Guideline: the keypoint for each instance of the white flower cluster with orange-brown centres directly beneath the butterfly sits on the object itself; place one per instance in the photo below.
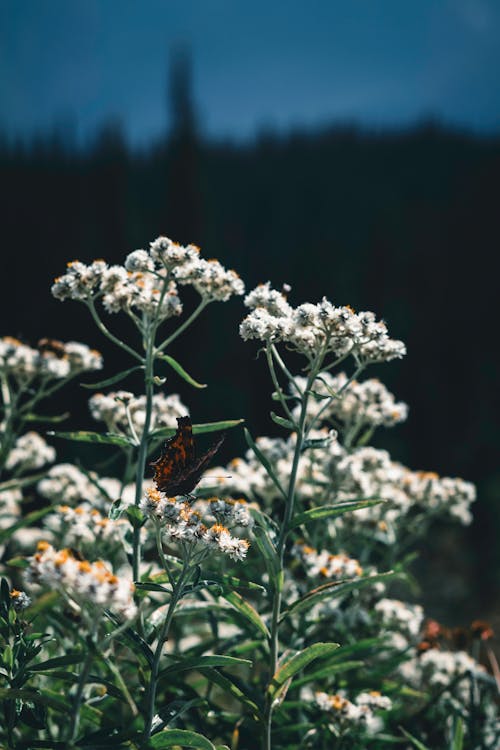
(181, 522)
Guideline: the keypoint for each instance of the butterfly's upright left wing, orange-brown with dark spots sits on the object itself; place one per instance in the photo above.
(177, 456)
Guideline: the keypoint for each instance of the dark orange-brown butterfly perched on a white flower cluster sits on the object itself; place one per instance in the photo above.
(177, 470)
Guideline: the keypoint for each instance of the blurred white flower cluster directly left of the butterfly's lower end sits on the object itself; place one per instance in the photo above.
(68, 484)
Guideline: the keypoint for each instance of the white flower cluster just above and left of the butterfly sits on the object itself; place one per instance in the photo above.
(112, 409)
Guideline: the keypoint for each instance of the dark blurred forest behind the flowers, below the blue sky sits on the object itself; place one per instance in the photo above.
(402, 222)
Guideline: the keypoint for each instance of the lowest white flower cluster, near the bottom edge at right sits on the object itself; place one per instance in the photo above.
(358, 716)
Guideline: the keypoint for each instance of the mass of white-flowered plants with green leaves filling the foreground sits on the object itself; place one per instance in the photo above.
(257, 612)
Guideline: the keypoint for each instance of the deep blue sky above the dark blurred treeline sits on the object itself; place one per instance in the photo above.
(274, 64)
